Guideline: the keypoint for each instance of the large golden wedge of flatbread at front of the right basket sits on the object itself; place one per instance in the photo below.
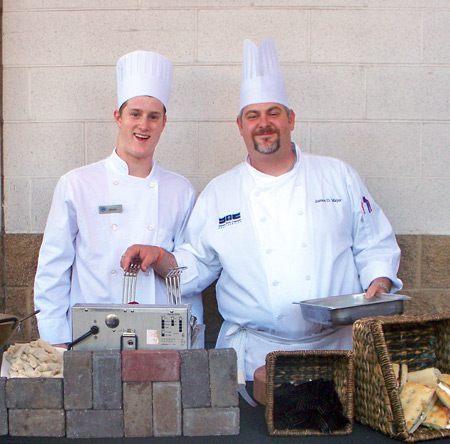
(417, 400)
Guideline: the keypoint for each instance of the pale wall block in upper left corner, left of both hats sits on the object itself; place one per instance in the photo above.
(29, 38)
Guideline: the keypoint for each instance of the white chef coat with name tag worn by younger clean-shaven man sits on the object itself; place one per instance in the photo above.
(79, 260)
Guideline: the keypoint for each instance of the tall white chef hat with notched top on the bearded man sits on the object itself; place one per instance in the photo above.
(262, 81)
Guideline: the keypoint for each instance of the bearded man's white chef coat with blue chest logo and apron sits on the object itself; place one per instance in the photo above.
(313, 232)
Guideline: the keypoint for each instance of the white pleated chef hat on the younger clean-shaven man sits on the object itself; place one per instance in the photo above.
(143, 73)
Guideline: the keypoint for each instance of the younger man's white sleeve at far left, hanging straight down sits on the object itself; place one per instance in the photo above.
(53, 276)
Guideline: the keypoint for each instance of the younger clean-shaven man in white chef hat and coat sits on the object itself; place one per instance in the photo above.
(100, 209)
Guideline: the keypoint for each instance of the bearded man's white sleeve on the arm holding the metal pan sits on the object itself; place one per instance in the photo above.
(375, 249)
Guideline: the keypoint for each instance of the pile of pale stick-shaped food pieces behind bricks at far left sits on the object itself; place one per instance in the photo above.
(37, 359)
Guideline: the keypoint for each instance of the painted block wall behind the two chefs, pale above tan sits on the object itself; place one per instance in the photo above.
(369, 81)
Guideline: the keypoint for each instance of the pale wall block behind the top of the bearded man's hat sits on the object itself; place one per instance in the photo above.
(222, 36)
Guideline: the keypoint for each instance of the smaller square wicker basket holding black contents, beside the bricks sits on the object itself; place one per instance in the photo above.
(302, 366)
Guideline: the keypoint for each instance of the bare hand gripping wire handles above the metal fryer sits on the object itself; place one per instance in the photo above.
(151, 256)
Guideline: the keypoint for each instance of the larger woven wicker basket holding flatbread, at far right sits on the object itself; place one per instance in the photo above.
(420, 342)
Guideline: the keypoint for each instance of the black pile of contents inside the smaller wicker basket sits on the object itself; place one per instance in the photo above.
(309, 405)
